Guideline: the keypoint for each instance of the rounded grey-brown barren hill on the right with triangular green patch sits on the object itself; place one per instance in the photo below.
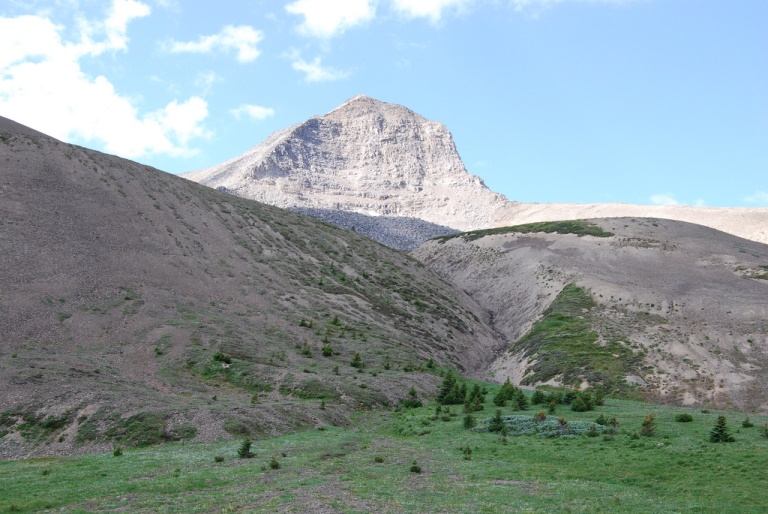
(679, 307)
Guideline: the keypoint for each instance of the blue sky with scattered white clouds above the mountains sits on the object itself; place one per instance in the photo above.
(637, 101)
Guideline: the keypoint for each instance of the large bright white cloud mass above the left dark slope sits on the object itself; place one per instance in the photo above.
(43, 85)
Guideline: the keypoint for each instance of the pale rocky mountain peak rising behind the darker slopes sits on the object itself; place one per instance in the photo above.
(365, 156)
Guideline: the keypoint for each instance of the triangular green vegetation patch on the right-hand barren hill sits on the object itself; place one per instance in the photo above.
(564, 345)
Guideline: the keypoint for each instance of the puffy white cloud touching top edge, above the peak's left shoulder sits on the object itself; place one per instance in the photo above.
(325, 19)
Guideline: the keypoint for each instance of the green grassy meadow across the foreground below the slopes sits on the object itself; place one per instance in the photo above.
(367, 468)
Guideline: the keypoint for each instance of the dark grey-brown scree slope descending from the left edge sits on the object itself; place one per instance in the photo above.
(141, 306)
